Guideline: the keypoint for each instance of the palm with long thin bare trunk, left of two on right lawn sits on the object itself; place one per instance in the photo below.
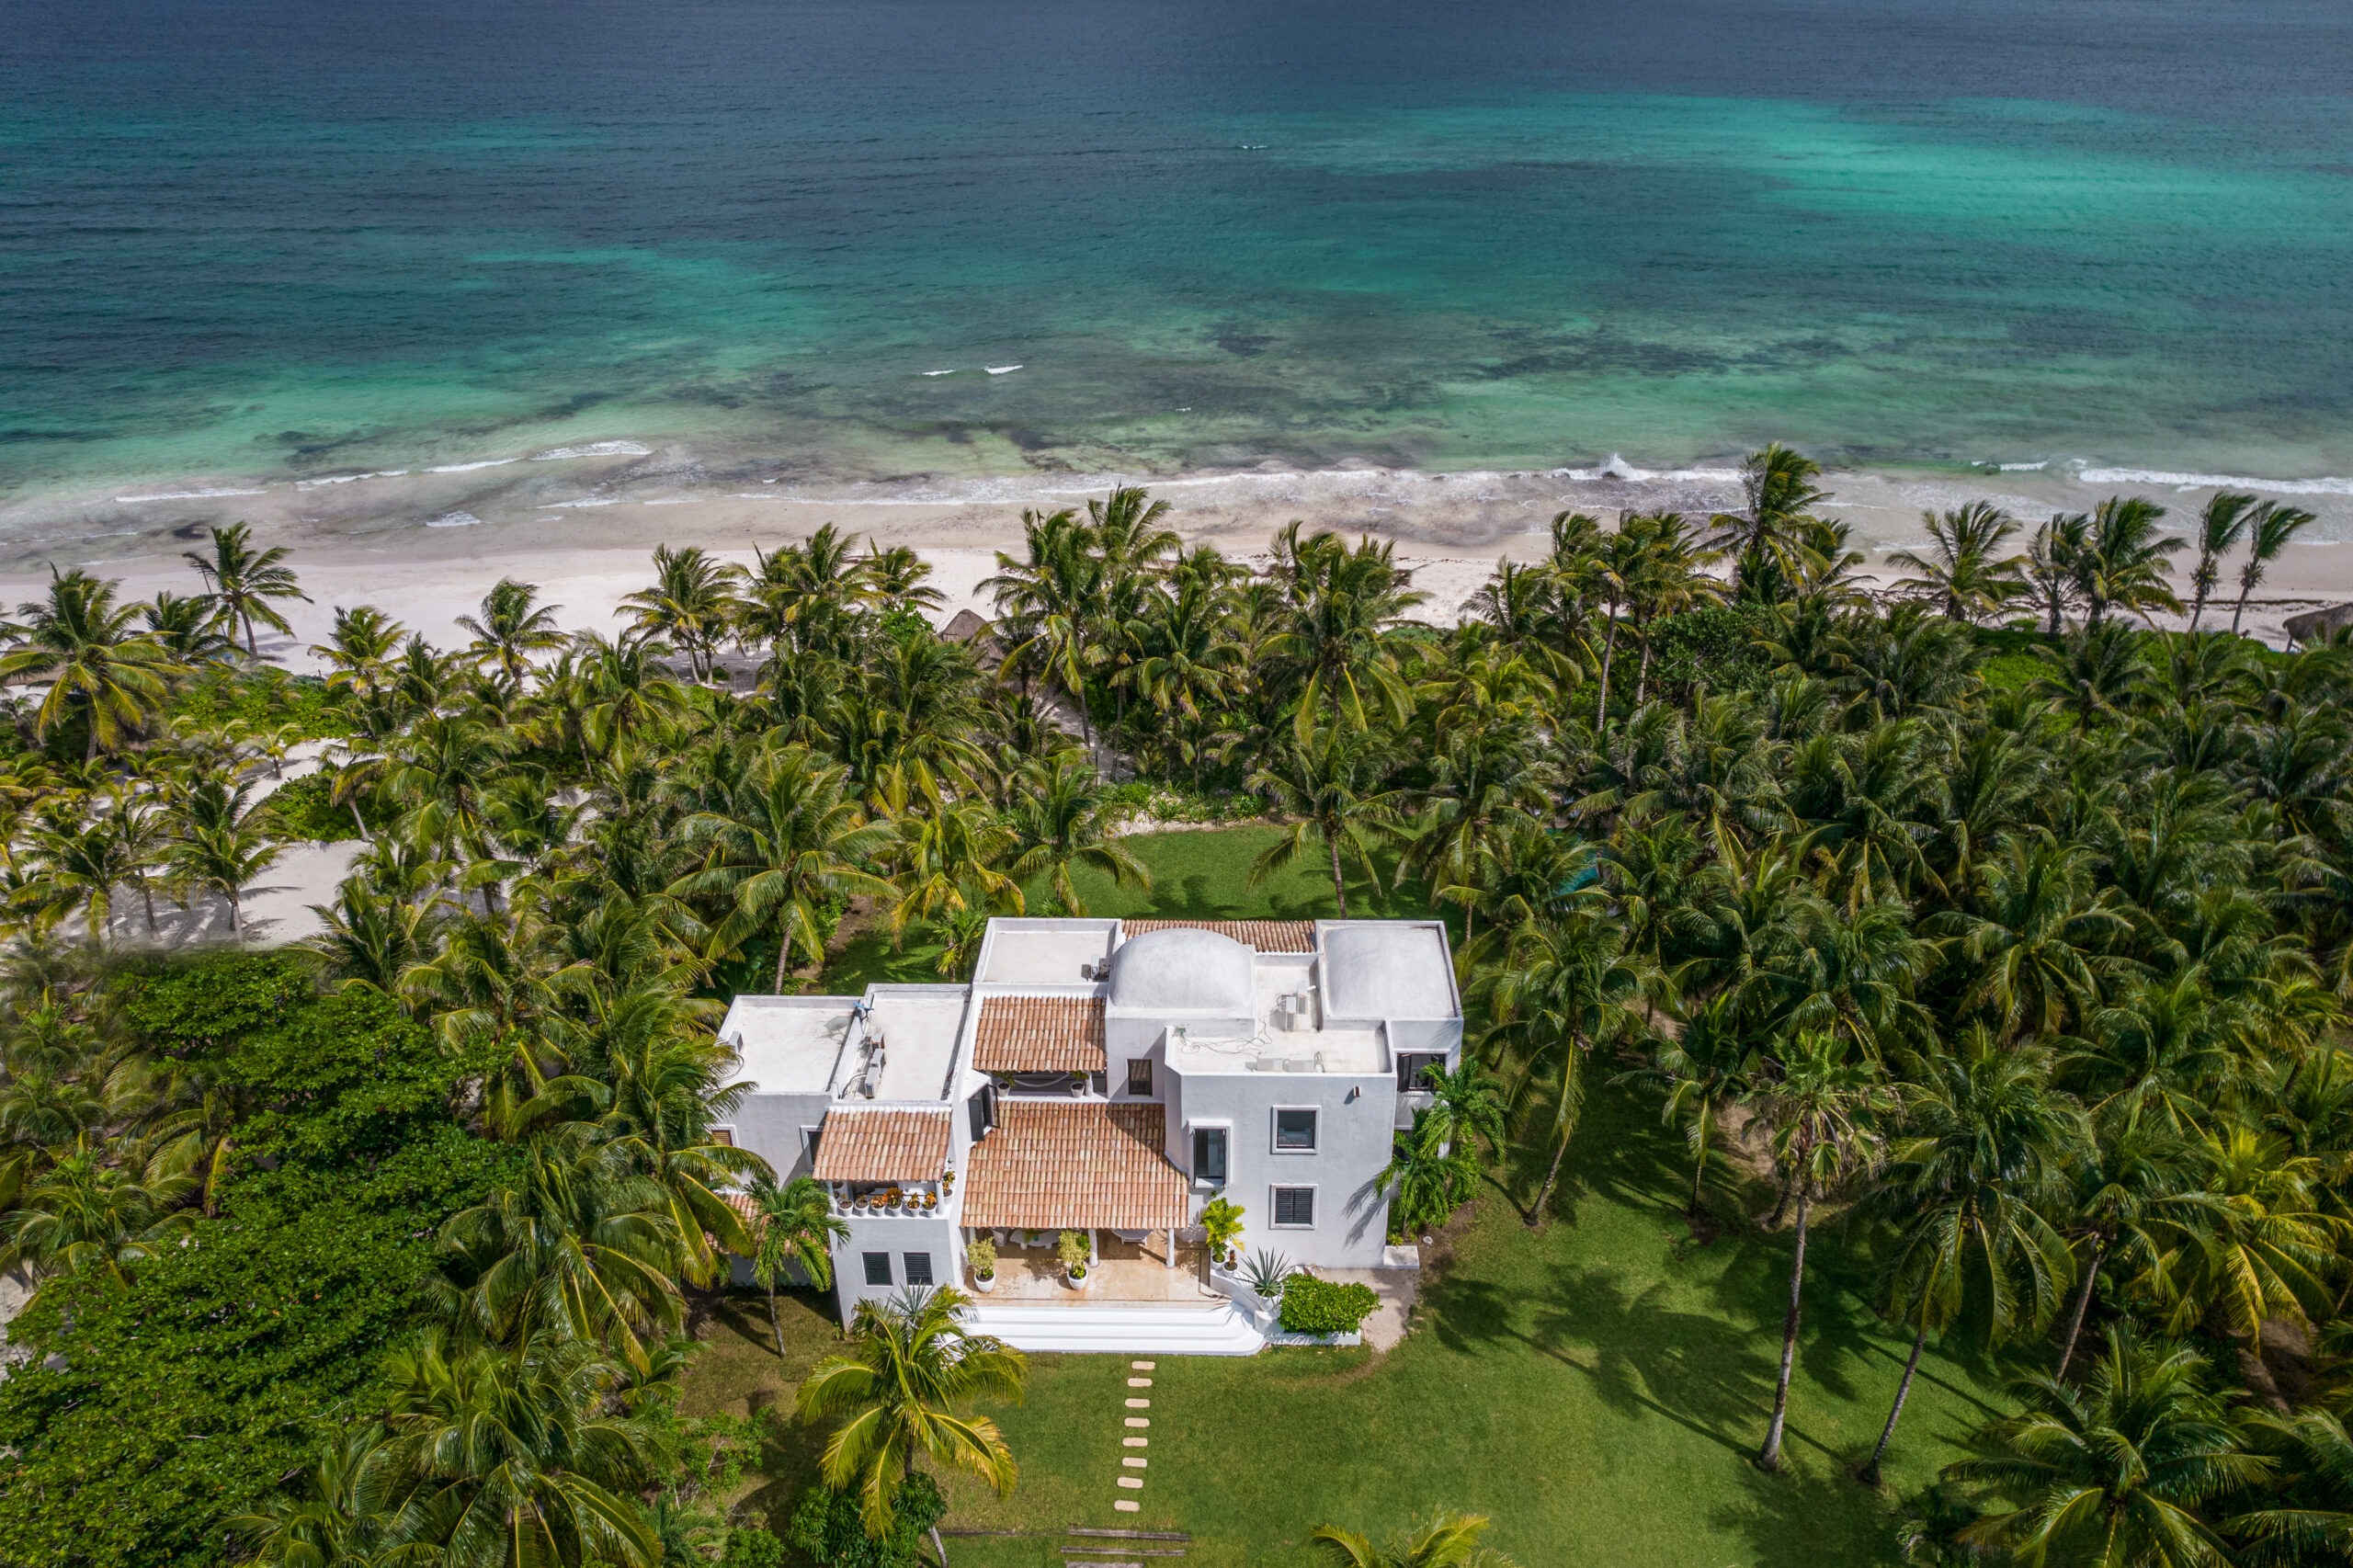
(1822, 1108)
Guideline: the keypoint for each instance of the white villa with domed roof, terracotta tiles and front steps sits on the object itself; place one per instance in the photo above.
(1109, 1077)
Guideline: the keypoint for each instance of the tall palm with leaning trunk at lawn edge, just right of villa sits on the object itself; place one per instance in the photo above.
(1568, 985)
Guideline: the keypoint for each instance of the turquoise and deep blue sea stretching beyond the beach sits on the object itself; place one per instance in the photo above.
(284, 237)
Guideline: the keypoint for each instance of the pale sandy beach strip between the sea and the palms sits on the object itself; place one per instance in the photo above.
(580, 524)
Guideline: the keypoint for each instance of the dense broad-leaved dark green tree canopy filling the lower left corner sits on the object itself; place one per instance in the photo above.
(156, 1414)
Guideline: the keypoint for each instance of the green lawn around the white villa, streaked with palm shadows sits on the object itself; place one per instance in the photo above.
(1597, 1386)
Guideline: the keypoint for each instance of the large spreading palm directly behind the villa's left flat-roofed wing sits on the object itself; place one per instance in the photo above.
(780, 849)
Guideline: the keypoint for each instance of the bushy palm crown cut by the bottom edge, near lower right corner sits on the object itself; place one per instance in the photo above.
(2114, 1473)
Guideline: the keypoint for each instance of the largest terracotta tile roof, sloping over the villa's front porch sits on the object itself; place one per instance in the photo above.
(1053, 1164)
